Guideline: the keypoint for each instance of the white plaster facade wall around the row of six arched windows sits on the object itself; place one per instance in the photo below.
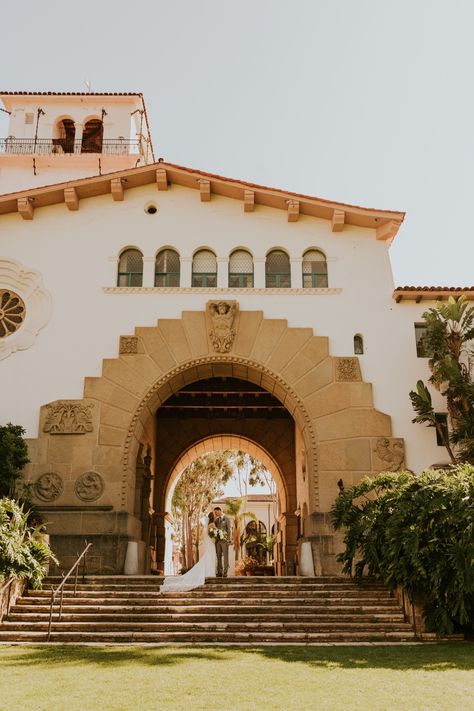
(76, 252)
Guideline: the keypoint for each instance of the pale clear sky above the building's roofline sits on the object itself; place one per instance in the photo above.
(367, 102)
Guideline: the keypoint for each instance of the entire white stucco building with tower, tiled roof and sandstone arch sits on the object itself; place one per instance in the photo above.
(114, 267)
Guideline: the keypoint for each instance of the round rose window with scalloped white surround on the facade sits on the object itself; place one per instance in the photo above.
(25, 306)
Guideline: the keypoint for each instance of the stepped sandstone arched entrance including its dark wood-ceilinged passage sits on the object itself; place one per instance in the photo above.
(315, 403)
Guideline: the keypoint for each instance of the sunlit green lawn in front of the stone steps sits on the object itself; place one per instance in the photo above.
(413, 678)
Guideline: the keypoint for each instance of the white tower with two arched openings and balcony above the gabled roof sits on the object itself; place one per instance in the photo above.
(58, 136)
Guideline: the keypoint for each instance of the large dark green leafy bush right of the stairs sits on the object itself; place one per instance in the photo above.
(417, 532)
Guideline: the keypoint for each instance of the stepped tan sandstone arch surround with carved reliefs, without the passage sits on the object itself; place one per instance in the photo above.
(85, 456)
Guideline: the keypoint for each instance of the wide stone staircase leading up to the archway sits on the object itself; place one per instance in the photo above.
(241, 610)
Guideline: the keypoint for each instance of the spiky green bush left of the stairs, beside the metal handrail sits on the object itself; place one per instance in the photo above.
(24, 551)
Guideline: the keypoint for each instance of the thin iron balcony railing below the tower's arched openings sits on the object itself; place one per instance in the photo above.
(61, 146)
